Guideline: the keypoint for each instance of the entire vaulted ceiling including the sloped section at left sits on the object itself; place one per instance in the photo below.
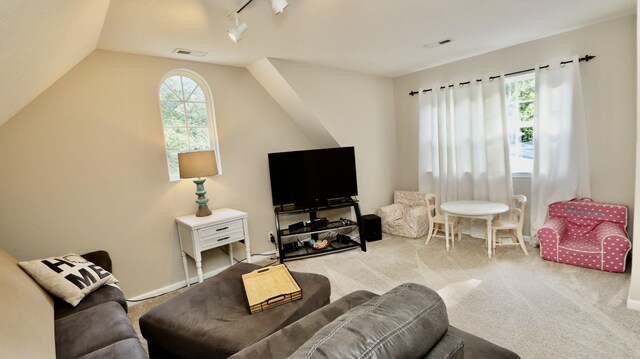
(40, 40)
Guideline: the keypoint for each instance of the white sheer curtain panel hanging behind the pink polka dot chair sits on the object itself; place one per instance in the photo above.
(561, 163)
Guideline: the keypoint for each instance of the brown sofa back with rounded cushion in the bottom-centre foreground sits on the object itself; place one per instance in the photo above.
(410, 321)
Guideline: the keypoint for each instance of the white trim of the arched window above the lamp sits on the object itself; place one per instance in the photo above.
(211, 118)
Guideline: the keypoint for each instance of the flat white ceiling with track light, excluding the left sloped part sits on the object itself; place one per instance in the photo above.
(381, 37)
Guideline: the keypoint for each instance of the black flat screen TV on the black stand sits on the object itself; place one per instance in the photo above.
(312, 176)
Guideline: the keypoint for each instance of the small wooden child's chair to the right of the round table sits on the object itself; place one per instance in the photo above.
(511, 226)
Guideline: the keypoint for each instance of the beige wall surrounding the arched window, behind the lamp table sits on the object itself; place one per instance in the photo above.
(83, 167)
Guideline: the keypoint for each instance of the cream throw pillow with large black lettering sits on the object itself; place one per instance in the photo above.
(69, 277)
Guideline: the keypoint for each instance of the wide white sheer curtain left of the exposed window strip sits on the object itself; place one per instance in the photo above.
(464, 151)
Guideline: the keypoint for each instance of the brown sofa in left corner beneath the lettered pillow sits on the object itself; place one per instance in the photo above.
(35, 325)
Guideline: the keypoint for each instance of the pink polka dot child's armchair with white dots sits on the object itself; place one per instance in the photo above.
(585, 233)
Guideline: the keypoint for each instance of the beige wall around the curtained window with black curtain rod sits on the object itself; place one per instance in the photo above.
(609, 93)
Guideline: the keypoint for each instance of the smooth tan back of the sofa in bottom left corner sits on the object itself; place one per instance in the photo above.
(27, 314)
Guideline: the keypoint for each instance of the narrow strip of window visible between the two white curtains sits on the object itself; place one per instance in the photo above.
(521, 92)
